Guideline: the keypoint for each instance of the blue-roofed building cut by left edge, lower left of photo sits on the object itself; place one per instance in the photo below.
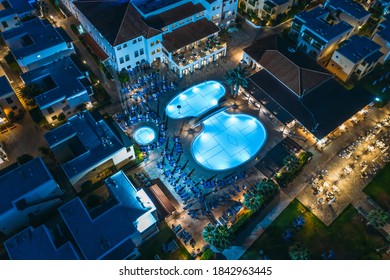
(25, 192)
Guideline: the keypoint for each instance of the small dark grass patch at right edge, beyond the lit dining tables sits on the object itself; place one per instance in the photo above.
(379, 188)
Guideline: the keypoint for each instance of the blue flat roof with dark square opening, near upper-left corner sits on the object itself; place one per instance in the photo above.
(32, 37)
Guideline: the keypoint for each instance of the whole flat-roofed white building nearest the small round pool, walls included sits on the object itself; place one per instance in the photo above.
(87, 147)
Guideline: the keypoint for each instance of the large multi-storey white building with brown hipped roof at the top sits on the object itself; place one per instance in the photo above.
(133, 33)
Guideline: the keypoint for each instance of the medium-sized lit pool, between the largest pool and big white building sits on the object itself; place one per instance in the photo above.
(196, 100)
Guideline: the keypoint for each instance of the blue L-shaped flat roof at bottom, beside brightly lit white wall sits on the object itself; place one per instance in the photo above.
(100, 237)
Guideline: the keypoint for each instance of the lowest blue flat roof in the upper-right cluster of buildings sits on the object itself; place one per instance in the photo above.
(357, 48)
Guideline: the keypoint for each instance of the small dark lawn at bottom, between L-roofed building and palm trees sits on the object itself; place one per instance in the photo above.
(153, 246)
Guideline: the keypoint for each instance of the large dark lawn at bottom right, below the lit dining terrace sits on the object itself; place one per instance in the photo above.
(348, 236)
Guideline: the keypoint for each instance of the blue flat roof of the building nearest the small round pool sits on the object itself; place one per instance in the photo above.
(96, 142)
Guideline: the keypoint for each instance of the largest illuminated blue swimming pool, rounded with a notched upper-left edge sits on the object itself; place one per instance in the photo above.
(228, 141)
